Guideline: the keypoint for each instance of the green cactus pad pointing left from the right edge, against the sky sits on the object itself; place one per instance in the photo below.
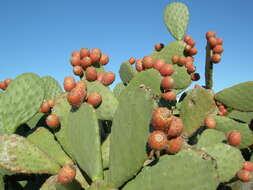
(239, 97)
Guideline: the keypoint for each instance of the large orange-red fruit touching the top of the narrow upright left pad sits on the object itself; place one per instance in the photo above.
(76, 96)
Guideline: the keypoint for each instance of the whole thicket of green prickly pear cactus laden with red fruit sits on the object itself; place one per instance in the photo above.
(138, 136)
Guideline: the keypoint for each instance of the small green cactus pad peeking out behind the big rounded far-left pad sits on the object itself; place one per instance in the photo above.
(52, 87)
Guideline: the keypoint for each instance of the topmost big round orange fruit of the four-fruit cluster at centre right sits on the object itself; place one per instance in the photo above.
(161, 118)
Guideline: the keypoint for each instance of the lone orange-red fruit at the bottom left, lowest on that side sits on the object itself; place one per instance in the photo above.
(66, 174)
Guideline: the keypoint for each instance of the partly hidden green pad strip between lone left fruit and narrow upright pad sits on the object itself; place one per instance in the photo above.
(62, 109)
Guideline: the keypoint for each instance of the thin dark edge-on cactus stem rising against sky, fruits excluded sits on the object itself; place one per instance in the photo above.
(209, 68)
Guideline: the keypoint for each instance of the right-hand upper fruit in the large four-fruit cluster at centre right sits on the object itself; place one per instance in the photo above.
(176, 127)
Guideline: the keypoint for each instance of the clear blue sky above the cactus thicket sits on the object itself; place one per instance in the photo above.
(39, 35)
